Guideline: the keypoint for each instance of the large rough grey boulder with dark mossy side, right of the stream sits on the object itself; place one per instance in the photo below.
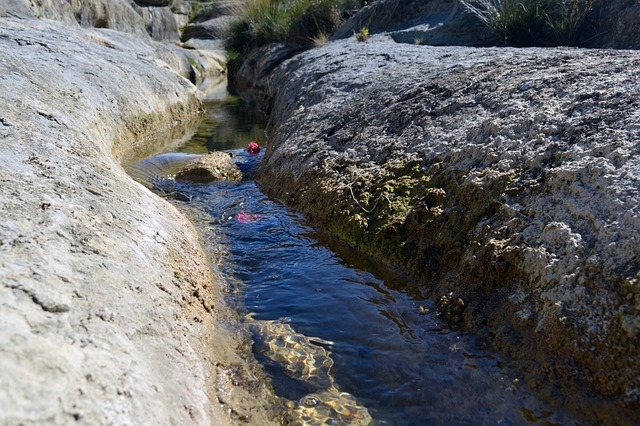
(505, 180)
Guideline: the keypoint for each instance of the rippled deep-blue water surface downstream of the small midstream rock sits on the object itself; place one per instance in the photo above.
(389, 351)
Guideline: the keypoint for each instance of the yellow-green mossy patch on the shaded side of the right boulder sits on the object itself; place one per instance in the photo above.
(420, 221)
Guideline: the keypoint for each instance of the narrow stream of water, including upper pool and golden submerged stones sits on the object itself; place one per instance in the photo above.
(388, 351)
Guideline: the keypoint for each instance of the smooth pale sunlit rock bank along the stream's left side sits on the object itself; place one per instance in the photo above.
(108, 308)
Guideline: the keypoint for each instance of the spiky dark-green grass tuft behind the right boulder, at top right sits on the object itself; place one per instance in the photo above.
(532, 22)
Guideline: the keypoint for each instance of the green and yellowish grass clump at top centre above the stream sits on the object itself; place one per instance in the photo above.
(302, 23)
